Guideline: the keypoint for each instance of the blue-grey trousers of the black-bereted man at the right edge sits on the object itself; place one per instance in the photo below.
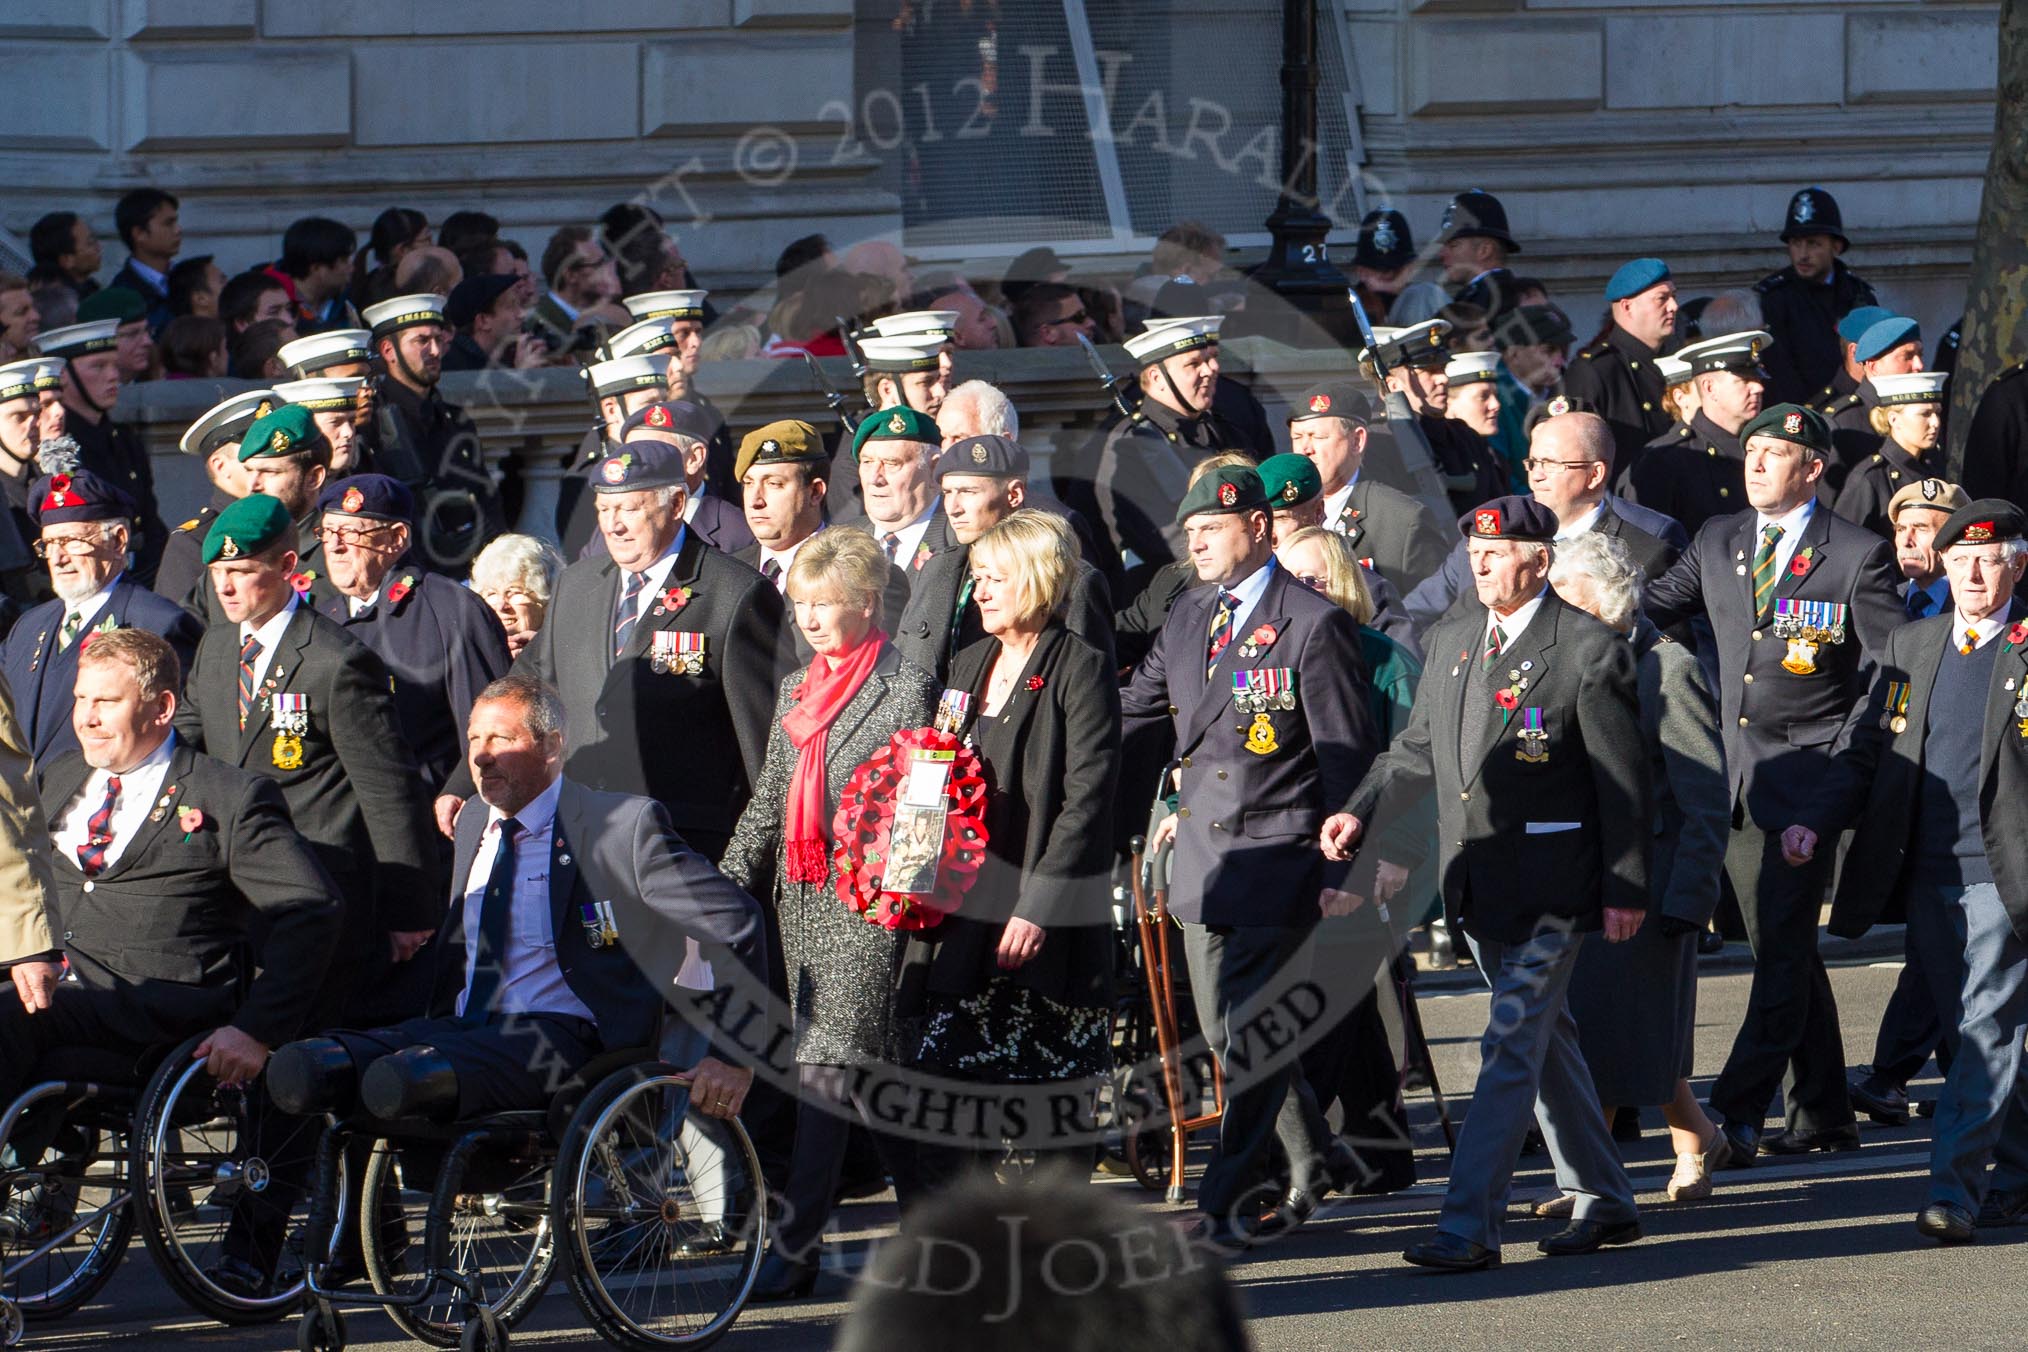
(1978, 978)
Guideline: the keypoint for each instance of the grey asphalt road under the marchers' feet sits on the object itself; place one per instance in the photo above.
(1812, 1256)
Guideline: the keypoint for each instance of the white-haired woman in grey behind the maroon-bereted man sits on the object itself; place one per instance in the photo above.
(1638, 1004)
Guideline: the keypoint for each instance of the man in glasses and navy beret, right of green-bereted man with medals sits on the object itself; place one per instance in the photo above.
(439, 642)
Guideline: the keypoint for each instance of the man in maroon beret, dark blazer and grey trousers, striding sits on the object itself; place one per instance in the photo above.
(1528, 729)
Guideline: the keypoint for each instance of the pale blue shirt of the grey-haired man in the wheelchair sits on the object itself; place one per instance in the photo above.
(530, 976)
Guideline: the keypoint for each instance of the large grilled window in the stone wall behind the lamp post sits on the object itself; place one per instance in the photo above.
(1003, 98)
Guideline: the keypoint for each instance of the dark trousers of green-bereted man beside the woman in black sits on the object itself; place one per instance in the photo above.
(1232, 974)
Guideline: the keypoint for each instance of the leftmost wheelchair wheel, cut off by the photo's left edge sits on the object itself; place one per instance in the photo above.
(84, 1191)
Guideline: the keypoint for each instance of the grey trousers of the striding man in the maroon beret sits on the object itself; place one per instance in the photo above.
(1532, 1071)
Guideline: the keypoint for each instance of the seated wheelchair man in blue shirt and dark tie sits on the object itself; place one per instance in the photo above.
(563, 899)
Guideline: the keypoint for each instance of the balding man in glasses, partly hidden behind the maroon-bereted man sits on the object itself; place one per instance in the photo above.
(1571, 473)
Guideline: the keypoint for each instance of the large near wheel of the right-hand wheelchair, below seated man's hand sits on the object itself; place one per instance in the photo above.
(662, 1227)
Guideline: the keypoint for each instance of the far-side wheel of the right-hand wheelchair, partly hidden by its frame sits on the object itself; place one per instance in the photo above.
(500, 1237)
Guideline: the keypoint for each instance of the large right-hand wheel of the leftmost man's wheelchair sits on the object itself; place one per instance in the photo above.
(216, 1167)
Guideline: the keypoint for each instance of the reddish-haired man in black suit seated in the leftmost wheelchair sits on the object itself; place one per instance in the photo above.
(171, 869)
